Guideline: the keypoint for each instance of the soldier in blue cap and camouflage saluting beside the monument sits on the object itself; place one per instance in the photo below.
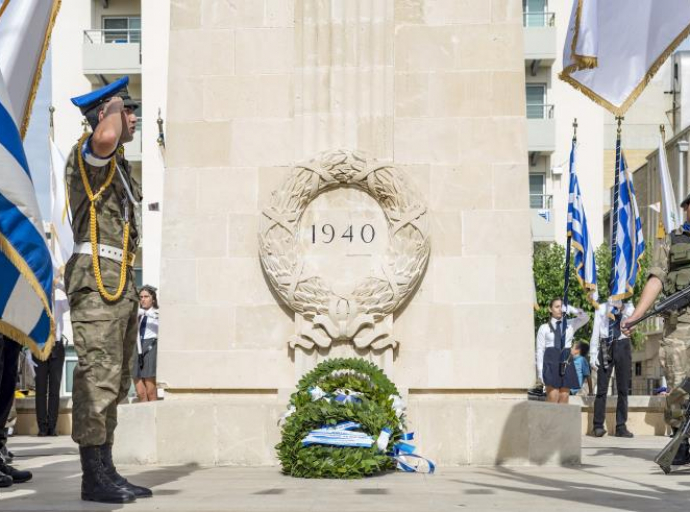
(102, 295)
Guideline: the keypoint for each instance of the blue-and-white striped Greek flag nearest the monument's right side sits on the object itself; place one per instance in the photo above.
(585, 266)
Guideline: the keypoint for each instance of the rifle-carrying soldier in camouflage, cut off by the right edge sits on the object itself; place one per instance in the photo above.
(670, 273)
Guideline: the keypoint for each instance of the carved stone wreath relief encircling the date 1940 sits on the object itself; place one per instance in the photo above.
(362, 316)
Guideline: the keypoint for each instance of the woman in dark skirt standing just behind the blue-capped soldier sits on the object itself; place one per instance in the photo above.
(144, 370)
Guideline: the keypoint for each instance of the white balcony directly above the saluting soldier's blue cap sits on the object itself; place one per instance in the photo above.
(111, 54)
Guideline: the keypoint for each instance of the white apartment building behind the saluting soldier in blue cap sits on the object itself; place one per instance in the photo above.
(95, 42)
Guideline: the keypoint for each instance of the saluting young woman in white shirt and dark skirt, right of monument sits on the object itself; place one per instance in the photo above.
(552, 350)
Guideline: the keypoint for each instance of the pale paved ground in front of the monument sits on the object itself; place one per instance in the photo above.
(615, 475)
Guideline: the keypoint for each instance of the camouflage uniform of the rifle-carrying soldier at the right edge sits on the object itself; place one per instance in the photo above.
(672, 266)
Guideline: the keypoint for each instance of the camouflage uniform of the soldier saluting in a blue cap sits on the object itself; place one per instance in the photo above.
(104, 332)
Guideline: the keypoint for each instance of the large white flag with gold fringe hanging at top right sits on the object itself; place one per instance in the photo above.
(614, 47)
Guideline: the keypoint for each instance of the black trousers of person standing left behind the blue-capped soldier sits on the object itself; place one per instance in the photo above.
(48, 377)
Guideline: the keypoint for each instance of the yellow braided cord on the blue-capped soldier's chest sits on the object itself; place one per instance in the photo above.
(93, 225)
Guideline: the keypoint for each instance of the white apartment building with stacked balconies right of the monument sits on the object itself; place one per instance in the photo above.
(552, 106)
